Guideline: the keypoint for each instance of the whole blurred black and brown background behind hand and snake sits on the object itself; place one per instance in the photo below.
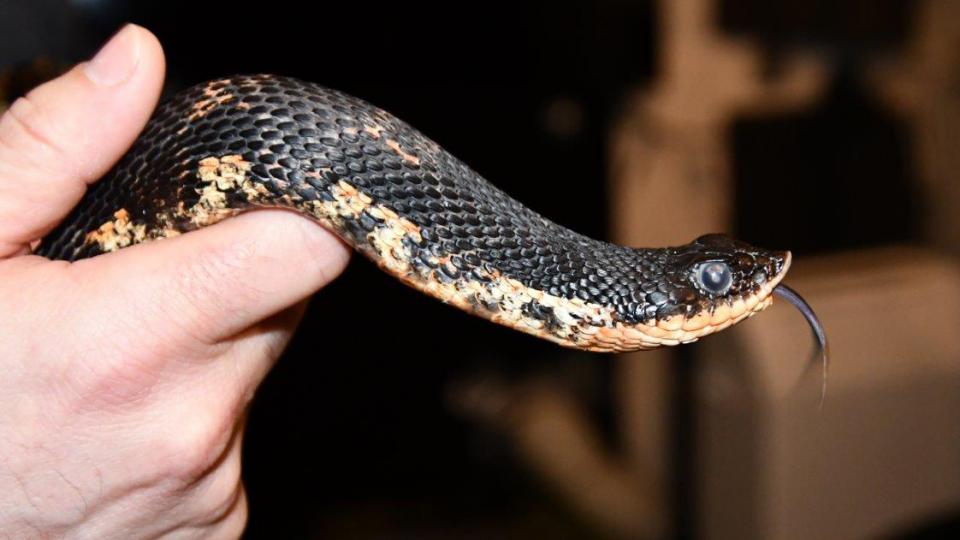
(828, 128)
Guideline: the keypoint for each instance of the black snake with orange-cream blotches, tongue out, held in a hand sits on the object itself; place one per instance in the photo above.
(264, 141)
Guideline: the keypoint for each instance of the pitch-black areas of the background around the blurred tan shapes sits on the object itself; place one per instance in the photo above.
(353, 434)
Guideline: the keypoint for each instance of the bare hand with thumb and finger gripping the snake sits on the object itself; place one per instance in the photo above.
(126, 377)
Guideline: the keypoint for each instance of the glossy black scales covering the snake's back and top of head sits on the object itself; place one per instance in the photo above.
(301, 139)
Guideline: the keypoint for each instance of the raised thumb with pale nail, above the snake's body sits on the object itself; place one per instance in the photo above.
(66, 133)
